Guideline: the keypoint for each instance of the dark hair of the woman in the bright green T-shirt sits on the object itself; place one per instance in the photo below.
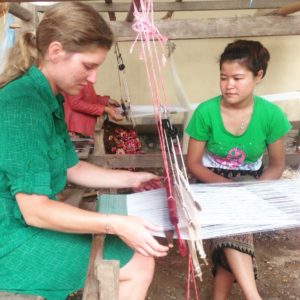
(252, 54)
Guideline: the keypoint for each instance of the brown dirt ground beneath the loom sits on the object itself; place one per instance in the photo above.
(278, 259)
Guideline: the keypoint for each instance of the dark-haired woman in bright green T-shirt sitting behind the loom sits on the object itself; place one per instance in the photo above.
(228, 137)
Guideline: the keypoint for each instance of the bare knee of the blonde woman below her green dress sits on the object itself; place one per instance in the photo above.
(135, 277)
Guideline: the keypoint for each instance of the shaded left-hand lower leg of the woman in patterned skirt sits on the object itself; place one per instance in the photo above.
(222, 284)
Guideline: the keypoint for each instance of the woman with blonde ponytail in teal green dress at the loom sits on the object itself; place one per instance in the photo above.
(45, 244)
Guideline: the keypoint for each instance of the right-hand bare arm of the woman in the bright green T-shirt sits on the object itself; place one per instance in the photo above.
(276, 163)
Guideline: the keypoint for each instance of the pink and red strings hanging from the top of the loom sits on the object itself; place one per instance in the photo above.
(148, 34)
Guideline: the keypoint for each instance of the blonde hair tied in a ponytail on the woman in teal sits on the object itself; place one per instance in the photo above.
(77, 26)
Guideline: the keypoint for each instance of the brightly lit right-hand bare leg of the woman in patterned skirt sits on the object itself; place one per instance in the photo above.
(242, 269)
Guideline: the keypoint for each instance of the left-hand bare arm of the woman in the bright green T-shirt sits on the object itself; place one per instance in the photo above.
(194, 163)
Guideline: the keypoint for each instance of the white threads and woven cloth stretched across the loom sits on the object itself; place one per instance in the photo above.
(227, 208)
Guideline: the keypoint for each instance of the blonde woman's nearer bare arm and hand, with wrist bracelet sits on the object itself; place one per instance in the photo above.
(39, 211)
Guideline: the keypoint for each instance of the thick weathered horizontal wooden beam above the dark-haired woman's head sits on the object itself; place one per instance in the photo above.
(216, 27)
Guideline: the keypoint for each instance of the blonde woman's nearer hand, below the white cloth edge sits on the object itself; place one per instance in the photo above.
(136, 233)
